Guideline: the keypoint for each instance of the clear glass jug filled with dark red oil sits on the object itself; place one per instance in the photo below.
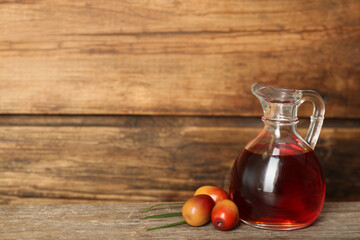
(277, 181)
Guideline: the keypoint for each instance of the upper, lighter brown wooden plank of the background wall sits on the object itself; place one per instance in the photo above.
(175, 57)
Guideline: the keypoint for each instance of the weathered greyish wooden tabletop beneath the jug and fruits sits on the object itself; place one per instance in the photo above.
(338, 220)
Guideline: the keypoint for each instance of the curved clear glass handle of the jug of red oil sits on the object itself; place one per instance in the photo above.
(317, 117)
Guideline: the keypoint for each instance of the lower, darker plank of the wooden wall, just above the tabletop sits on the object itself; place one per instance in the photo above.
(145, 158)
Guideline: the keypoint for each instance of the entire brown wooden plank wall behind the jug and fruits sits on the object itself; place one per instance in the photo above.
(147, 100)
